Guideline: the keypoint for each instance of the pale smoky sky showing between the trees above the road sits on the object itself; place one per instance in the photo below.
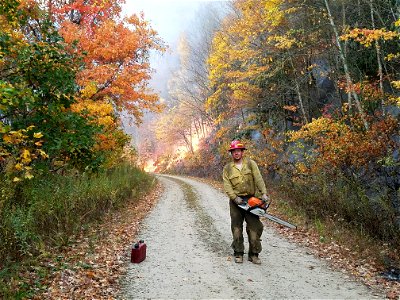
(172, 20)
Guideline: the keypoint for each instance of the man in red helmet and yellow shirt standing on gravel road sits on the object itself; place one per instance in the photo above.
(242, 180)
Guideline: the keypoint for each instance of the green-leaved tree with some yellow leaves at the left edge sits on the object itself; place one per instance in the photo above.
(37, 85)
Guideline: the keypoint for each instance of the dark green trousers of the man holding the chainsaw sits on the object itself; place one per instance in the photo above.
(254, 229)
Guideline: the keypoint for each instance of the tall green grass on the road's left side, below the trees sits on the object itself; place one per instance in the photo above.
(48, 210)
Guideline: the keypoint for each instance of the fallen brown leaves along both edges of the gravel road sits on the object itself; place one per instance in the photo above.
(91, 267)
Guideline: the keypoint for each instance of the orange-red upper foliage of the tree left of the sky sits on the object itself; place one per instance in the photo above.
(116, 52)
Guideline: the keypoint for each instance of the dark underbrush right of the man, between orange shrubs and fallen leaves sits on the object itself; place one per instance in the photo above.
(339, 209)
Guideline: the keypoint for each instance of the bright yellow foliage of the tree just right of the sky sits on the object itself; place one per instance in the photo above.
(241, 52)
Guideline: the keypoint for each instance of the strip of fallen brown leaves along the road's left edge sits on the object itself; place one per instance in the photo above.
(91, 267)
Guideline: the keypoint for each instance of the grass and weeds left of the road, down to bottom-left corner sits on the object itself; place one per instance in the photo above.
(45, 214)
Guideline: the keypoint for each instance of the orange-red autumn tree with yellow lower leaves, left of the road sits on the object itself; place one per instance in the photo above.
(115, 68)
